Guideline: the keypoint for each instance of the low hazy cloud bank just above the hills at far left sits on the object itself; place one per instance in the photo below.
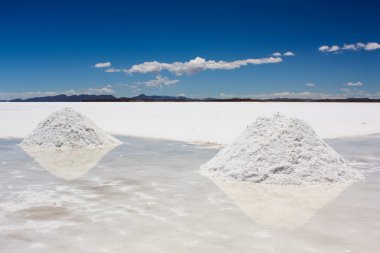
(106, 90)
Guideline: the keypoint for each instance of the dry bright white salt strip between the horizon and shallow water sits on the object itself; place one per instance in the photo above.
(196, 122)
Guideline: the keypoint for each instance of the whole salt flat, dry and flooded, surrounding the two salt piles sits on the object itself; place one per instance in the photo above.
(147, 195)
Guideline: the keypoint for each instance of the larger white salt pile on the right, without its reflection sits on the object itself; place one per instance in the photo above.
(280, 150)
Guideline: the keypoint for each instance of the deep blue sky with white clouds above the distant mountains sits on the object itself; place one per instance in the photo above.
(48, 48)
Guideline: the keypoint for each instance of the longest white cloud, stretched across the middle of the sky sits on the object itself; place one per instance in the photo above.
(196, 65)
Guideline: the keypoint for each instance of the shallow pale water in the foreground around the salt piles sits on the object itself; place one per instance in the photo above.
(146, 196)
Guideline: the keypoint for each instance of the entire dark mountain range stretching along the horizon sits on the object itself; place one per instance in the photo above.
(145, 98)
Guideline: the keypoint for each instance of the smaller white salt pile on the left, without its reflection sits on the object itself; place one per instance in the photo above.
(68, 129)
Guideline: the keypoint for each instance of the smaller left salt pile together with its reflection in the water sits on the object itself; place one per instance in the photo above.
(68, 144)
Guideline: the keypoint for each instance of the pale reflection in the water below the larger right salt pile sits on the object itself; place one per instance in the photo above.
(280, 206)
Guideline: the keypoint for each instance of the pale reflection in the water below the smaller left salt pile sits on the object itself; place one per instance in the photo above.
(68, 164)
